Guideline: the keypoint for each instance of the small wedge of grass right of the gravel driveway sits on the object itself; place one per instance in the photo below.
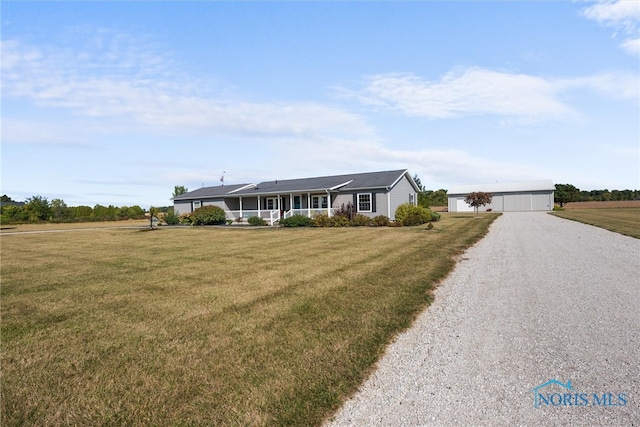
(621, 220)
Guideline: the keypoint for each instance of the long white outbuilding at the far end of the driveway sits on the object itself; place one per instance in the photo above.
(507, 197)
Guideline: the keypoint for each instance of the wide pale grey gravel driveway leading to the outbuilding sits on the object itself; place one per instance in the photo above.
(539, 299)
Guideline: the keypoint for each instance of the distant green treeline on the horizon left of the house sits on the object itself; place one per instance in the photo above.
(39, 209)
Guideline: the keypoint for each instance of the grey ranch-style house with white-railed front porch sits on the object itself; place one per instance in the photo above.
(372, 194)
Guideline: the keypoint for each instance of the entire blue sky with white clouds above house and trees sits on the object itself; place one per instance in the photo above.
(118, 102)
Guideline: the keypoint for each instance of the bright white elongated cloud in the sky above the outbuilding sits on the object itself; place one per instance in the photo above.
(523, 98)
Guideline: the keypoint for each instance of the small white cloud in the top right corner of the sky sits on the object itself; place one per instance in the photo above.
(623, 15)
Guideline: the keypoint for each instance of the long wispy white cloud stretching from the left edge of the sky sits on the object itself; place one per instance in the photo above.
(109, 85)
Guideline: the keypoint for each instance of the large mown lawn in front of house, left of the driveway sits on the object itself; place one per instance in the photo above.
(208, 326)
